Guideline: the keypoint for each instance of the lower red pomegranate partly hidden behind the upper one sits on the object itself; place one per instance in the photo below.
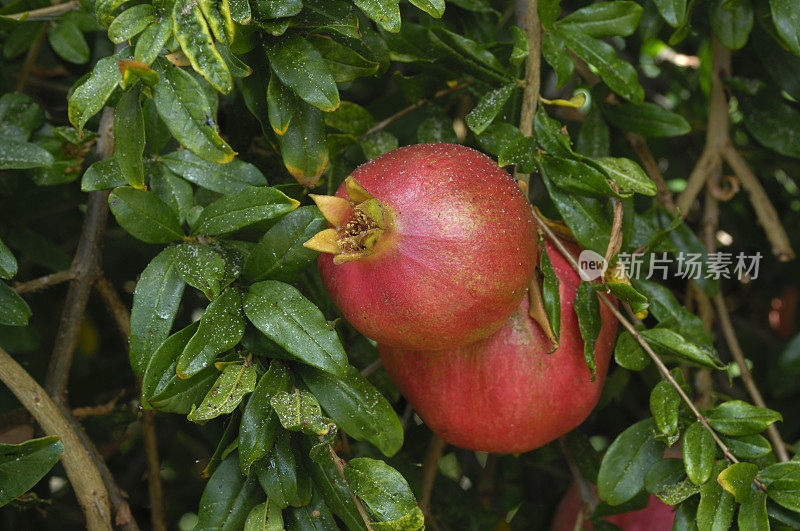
(506, 393)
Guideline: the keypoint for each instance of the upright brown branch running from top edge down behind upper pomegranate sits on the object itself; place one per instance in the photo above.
(533, 65)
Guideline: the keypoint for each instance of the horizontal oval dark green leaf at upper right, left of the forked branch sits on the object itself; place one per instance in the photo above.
(646, 119)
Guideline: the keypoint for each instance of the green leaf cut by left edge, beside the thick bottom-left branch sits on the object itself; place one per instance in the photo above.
(23, 465)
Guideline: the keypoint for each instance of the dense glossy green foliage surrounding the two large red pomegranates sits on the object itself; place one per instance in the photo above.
(227, 113)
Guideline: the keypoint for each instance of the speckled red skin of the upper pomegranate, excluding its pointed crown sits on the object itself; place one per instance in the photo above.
(455, 263)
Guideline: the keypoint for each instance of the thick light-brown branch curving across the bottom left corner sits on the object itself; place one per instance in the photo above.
(83, 474)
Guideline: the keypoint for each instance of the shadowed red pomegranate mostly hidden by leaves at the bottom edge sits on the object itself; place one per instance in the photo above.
(657, 516)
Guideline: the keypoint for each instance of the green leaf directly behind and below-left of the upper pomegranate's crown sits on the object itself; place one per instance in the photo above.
(280, 254)
